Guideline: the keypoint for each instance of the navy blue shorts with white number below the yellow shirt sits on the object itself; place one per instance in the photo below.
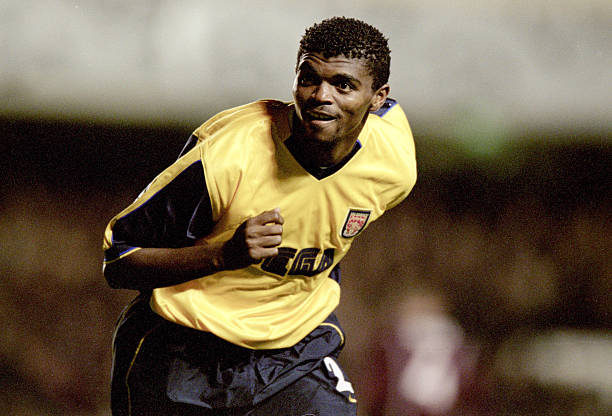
(160, 368)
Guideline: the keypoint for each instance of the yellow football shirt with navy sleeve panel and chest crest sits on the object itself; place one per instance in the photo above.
(237, 165)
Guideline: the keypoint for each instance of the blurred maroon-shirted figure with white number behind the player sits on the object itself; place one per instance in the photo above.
(422, 362)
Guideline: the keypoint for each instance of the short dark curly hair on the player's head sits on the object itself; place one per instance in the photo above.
(352, 38)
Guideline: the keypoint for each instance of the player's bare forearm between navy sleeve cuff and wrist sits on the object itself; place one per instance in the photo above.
(149, 268)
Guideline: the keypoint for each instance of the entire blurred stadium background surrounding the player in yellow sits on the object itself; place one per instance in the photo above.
(487, 292)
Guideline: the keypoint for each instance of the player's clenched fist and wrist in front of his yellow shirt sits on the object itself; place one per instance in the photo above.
(255, 239)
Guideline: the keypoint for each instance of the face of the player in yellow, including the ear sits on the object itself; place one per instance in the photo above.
(333, 96)
